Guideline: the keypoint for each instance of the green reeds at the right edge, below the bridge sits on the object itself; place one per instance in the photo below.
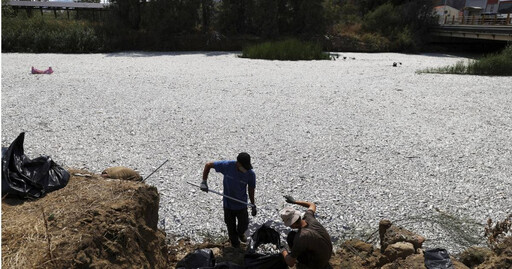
(497, 64)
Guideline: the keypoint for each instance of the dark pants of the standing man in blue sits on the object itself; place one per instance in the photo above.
(236, 231)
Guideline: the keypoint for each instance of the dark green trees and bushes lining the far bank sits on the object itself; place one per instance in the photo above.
(363, 25)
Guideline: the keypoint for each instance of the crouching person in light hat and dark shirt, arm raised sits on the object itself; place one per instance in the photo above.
(310, 246)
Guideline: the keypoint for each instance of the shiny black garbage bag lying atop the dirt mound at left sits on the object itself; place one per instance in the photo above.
(28, 178)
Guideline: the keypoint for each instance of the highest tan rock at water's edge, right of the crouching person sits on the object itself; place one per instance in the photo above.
(390, 234)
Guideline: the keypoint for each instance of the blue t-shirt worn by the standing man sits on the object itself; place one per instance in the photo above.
(235, 183)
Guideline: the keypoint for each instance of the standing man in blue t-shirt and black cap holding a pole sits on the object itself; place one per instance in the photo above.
(237, 176)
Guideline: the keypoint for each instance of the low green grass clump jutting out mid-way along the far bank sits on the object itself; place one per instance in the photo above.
(286, 50)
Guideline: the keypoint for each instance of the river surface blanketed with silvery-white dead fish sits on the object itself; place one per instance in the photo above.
(362, 139)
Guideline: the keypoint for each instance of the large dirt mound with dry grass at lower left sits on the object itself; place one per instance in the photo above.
(91, 223)
